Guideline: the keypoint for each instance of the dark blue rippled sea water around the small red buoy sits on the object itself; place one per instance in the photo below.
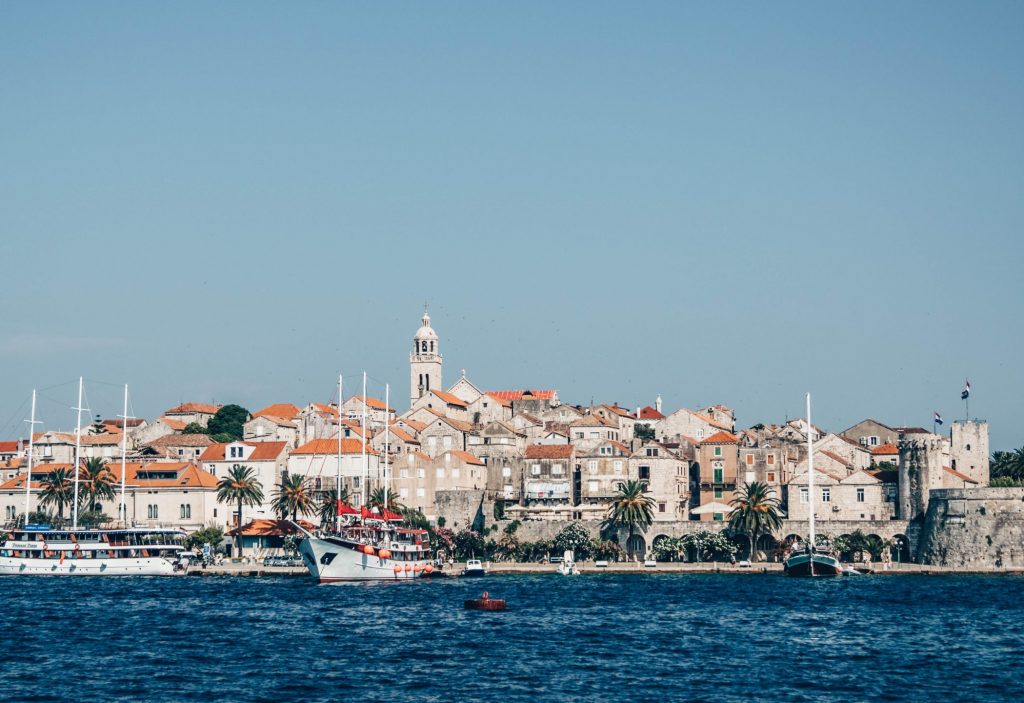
(602, 638)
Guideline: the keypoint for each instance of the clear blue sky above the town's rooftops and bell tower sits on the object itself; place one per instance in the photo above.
(235, 202)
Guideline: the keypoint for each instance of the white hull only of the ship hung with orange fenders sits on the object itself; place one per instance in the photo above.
(330, 561)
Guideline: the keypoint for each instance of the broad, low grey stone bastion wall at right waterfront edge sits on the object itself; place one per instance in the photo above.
(974, 529)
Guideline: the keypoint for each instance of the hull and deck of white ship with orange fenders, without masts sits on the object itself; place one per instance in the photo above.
(372, 550)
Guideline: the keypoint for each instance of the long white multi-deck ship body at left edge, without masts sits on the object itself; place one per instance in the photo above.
(38, 550)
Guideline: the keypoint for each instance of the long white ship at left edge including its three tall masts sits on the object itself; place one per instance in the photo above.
(41, 550)
